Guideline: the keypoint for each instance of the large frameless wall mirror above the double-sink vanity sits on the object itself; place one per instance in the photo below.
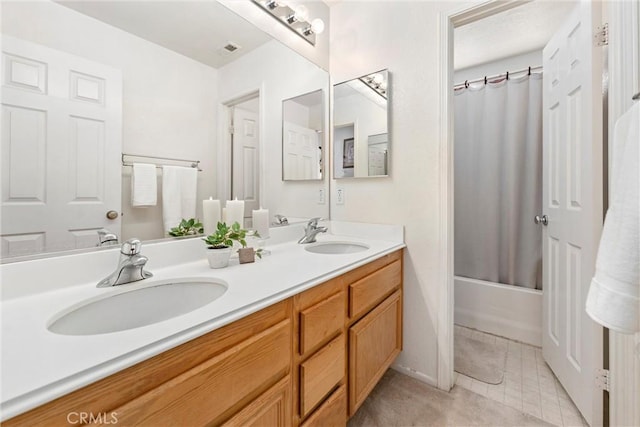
(89, 81)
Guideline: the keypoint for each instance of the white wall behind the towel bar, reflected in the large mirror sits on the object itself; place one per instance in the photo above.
(168, 100)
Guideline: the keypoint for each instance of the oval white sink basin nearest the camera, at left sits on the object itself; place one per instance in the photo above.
(136, 308)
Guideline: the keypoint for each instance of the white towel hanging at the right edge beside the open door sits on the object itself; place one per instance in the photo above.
(614, 295)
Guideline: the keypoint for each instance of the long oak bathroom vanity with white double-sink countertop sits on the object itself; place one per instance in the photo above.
(299, 338)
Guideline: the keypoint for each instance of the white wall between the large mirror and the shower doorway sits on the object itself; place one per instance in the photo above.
(402, 36)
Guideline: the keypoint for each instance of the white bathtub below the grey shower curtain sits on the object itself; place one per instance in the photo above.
(508, 311)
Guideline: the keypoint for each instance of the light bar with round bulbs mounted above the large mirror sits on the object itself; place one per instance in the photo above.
(296, 18)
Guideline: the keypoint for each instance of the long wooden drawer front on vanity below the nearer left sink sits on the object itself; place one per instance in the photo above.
(219, 387)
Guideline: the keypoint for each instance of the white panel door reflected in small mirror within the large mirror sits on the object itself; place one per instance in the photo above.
(301, 152)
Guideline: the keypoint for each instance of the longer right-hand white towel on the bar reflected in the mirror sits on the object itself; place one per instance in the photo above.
(179, 186)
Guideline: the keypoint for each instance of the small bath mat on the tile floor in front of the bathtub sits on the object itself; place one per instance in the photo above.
(478, 359)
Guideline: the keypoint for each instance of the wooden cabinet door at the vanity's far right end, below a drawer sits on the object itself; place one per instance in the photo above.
(374, 342)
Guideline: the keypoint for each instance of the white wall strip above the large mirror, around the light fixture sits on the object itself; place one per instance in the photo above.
(319, 54)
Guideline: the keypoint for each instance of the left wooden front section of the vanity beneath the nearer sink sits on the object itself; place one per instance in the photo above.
(186, 382)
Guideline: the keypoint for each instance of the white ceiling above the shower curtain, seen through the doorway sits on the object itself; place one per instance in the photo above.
(518, 30)
